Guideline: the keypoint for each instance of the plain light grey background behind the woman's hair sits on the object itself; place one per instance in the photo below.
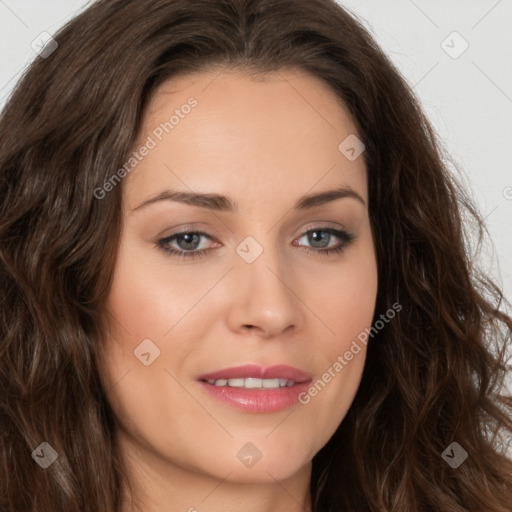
(468, 98)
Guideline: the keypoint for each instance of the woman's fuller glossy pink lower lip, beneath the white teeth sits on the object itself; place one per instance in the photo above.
(257, 400)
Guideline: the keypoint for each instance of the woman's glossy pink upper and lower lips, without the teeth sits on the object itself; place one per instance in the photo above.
(257, 400)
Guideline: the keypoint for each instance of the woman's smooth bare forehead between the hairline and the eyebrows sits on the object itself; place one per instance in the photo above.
(278, 133)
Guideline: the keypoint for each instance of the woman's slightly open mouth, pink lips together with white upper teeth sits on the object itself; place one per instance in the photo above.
(254, 388)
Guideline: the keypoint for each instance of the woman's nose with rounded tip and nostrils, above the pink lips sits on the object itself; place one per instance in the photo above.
(265, 300)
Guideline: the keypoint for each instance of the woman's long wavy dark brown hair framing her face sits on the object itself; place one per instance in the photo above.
(433, 375)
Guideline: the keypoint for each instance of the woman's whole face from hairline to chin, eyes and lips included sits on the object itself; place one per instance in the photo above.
(265, 292)
